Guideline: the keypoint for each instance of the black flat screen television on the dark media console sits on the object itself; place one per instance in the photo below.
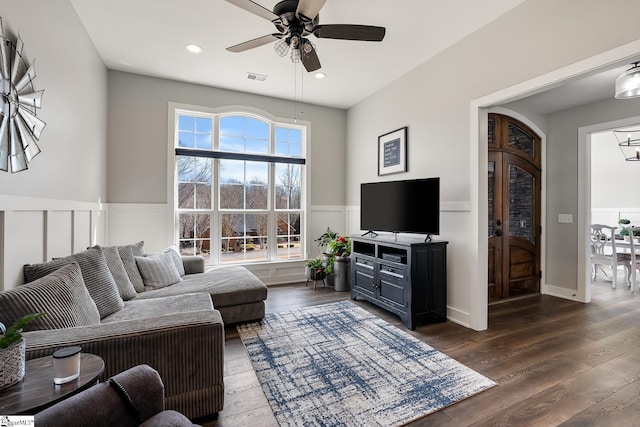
(407, 206)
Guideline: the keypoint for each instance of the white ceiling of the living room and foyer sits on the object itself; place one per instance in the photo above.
(149, 36)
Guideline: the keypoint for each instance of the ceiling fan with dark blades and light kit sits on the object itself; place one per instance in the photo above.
(296, 19)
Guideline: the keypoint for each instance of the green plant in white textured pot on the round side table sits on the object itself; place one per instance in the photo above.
(12, 351)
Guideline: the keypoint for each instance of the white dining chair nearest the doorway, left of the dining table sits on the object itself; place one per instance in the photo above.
(602, 238)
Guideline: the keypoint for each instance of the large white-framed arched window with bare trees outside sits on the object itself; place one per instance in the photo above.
(238, 189)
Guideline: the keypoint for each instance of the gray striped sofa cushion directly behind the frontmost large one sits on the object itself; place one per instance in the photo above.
(97, 278)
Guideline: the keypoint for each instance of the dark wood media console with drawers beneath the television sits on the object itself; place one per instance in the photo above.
(407, 276)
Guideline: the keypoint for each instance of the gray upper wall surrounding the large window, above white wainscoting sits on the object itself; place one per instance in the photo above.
(138, 141)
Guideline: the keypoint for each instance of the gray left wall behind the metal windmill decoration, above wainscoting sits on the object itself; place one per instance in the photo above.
(72, 164)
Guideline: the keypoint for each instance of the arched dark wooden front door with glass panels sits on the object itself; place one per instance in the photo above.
(514, 209)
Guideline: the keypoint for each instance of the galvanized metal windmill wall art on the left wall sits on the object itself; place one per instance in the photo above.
(20, 128)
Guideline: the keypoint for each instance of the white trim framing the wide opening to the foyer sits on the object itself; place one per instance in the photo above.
(478, 311)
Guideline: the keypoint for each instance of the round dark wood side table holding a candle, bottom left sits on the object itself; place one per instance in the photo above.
(37, 391)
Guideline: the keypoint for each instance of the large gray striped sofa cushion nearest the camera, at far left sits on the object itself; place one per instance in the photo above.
(61, 294)
